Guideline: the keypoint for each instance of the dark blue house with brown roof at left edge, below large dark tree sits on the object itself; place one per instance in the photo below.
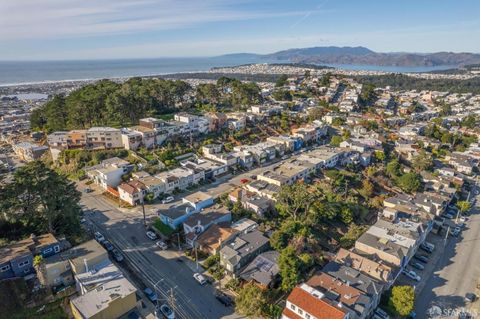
(16, 260)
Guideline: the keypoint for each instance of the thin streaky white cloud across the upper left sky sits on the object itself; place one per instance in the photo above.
(72, 18)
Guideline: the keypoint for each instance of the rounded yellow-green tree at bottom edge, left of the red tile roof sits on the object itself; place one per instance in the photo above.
(250, 301)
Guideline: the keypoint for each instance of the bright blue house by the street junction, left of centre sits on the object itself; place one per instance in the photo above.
(192, 204)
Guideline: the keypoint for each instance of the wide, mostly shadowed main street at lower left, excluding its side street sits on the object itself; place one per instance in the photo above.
(157, 268)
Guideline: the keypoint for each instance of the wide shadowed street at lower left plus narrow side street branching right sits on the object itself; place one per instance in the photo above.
(124, 228)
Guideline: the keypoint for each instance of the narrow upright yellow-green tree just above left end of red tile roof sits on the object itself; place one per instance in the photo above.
(289, 265)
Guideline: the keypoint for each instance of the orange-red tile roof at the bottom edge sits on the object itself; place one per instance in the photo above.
(316, 307)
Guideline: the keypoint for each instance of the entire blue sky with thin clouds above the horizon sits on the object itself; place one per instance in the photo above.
(103, 29)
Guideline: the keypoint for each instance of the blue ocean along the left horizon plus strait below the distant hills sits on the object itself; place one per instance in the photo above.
(26, 72)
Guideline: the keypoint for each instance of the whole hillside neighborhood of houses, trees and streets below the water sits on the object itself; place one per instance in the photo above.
(316, 195)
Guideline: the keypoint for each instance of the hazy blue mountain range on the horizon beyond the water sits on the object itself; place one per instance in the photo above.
(365, 56)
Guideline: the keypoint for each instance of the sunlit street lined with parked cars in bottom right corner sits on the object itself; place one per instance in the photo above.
(456, 272)
